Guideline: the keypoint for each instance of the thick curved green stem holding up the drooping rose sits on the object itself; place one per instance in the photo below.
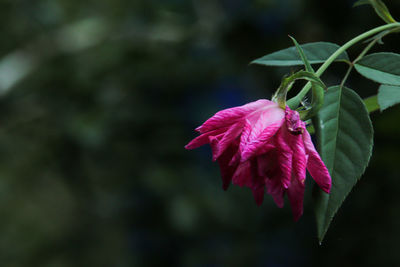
(295, 101)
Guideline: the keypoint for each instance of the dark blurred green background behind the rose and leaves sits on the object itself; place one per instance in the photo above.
(98, 99)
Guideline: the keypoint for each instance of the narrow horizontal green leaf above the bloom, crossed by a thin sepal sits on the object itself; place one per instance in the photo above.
(315, 52)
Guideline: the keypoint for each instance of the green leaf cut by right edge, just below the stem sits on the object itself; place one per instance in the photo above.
(381, 67)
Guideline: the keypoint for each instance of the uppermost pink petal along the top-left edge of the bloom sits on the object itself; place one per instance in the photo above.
(227, 117)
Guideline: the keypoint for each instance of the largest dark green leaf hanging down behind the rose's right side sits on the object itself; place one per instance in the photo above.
(345, 137)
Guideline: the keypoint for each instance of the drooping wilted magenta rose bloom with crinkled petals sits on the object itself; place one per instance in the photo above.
(264, 147)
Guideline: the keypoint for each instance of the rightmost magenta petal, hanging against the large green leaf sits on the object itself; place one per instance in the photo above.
(316, 166)
